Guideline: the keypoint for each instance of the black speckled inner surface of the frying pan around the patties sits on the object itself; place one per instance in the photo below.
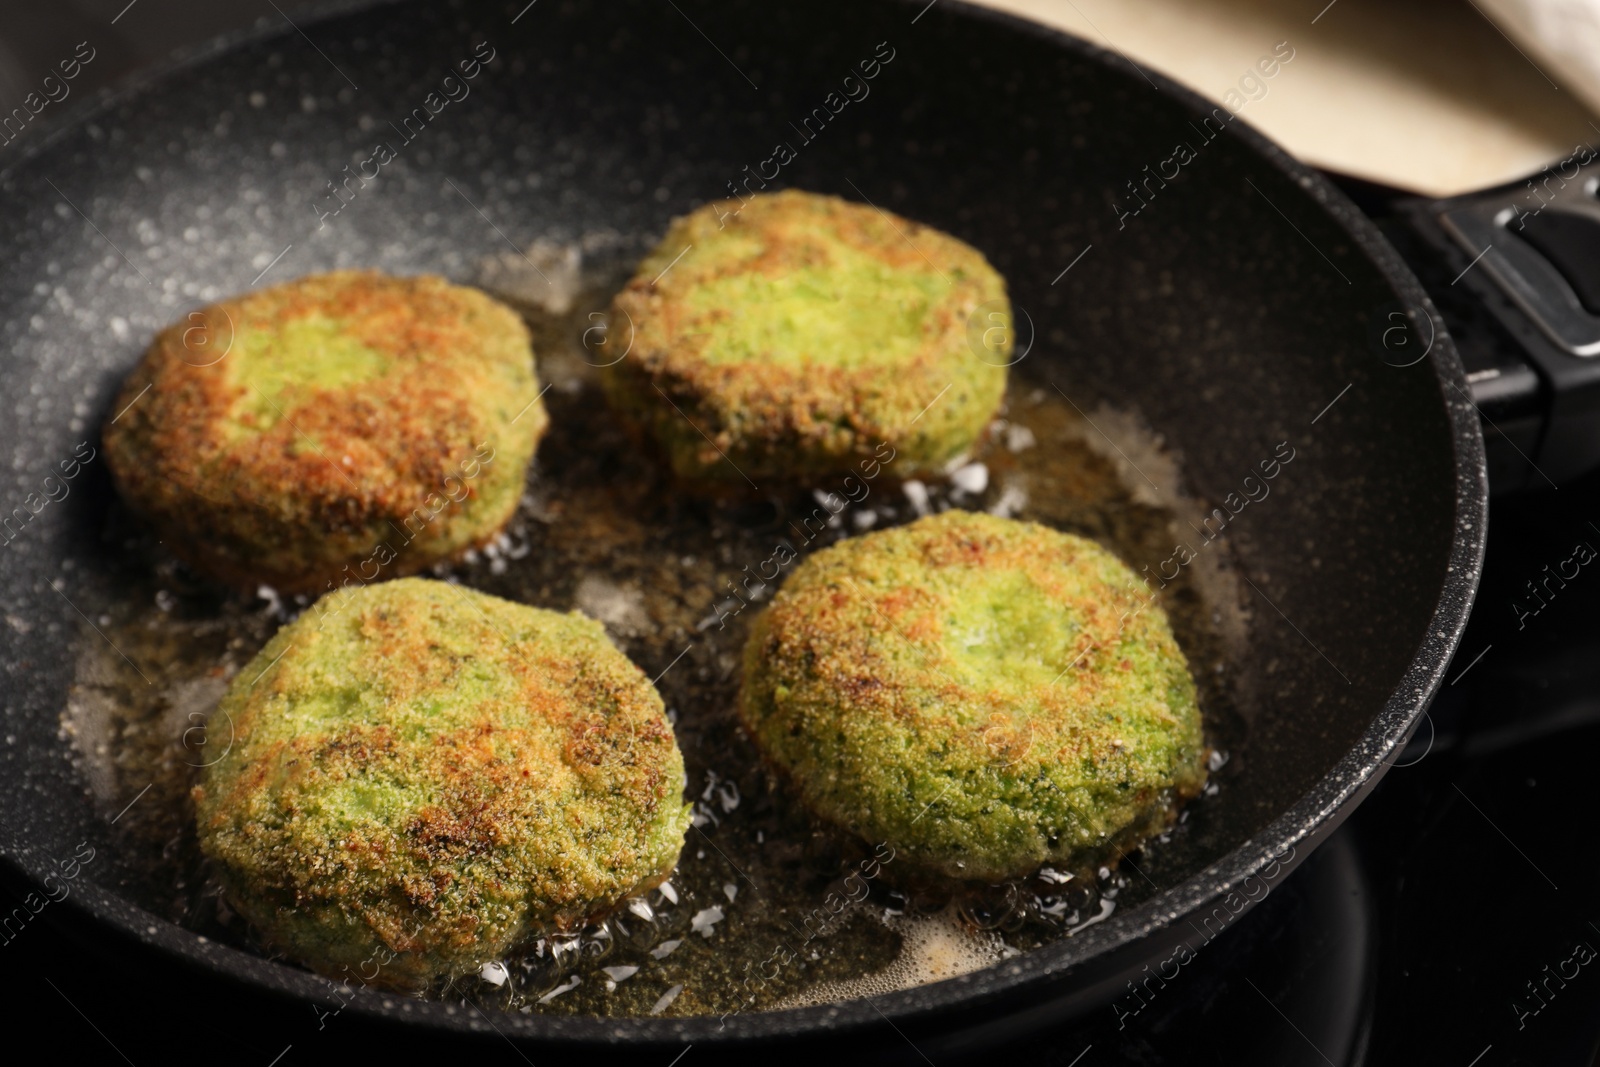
(1190, 340)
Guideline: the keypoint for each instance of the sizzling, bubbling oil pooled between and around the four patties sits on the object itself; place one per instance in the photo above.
(762, 909)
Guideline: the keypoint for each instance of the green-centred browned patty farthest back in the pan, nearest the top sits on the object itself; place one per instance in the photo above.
(810, 406)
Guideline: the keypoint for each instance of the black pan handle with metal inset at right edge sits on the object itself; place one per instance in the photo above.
(1516, 273)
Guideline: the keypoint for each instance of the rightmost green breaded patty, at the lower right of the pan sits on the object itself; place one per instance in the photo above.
(985, 695)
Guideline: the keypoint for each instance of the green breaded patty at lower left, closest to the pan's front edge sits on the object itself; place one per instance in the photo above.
(423, 778)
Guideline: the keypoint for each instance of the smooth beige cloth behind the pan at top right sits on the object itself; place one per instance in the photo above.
(1425, 95)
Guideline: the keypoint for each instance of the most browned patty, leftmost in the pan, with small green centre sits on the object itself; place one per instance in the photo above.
(282, 466)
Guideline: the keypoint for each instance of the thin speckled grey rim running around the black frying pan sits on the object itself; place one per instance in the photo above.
(1308, 820)
